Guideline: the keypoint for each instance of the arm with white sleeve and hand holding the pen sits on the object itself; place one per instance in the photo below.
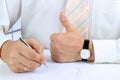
(17, 55)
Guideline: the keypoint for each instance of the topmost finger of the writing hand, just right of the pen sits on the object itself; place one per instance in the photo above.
(37, 46)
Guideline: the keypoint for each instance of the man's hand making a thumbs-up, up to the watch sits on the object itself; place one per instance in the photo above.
(66, 47)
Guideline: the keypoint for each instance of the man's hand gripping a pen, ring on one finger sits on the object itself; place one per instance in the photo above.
(21, 58)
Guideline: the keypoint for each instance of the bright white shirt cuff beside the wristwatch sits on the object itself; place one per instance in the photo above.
(107, 51)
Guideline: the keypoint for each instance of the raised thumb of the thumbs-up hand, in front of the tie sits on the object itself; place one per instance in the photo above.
(67, 25)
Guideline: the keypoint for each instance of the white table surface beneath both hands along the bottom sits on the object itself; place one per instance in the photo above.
(64, 71)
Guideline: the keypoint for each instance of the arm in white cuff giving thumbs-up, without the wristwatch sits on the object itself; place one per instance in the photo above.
(66, 47)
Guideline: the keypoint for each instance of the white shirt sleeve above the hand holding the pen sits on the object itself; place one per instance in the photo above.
(9, 14)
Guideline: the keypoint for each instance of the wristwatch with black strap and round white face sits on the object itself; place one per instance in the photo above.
(85, 52)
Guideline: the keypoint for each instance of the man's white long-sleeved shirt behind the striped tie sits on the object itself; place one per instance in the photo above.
(40, 18)
